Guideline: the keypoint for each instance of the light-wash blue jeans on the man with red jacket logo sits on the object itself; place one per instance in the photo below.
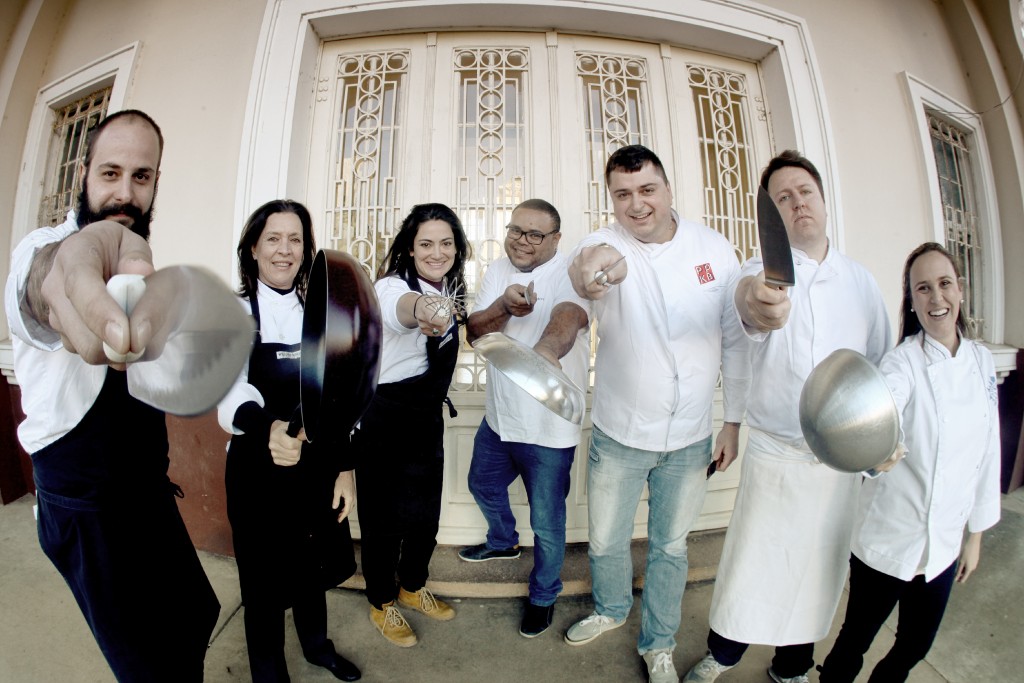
(677, 482)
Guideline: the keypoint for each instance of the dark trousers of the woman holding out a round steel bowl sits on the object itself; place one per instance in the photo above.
(873, 596)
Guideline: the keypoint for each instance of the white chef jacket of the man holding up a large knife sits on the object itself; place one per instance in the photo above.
(836, 306)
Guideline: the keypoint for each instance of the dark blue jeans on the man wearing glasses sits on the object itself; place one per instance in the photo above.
(545, 474)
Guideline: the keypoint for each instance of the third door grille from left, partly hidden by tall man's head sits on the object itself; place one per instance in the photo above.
(617, 113)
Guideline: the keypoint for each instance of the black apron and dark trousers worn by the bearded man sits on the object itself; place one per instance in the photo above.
(110, 523)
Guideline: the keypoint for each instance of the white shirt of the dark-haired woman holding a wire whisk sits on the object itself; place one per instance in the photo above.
(404, 351)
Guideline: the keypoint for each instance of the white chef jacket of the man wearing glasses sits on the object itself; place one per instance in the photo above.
(514, 414)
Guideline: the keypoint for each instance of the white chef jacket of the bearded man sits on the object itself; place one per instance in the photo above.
(58, 388)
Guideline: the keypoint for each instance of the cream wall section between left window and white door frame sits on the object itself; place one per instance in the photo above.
(193, 77)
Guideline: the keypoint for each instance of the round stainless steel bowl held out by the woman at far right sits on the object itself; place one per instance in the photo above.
(847, 413)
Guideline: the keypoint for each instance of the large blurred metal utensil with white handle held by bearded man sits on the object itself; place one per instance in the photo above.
(202, 338)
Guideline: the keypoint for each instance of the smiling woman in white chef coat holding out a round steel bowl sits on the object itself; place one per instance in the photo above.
(910, 527)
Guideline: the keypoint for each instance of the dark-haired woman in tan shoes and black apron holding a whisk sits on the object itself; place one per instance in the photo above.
(400, 441)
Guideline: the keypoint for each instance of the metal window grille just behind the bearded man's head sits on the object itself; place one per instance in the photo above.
(67, 153)
